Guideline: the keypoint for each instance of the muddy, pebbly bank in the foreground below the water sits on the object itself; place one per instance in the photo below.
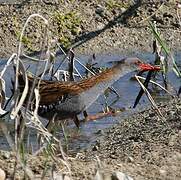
(143, 146)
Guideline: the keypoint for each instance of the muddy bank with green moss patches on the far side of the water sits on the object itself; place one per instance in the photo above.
(91, 27)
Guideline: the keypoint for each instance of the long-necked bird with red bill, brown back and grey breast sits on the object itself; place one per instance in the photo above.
(68, 99)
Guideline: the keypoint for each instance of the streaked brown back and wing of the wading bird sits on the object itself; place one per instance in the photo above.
(54, 91)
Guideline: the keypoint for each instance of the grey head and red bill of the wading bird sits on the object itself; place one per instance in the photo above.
(137, 64)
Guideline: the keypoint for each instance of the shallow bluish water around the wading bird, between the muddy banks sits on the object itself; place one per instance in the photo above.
(126, 88)
